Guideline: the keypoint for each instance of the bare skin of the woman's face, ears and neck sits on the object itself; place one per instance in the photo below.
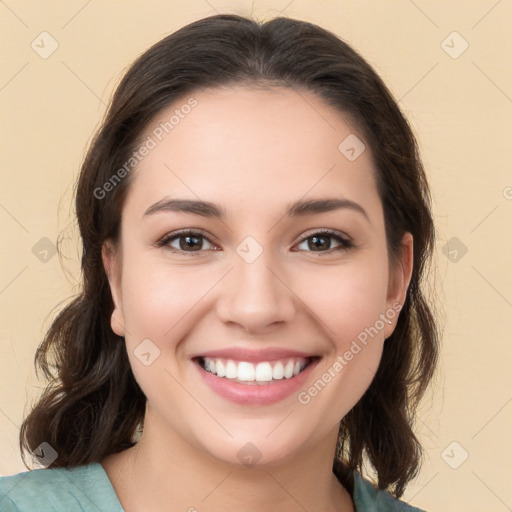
(253, 152)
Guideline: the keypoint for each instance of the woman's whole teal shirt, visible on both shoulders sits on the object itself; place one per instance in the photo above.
(88, 489)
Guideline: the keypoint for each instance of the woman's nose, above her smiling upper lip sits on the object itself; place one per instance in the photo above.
(256, 295)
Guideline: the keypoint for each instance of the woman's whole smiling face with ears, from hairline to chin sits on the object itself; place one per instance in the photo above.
(255, 291)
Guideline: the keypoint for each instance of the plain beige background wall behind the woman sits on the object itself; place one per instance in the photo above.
(459, 107)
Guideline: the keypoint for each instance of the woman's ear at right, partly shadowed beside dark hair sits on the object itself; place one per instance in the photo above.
(400, 277)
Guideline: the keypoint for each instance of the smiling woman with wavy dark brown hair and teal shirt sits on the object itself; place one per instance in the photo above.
(256, 226)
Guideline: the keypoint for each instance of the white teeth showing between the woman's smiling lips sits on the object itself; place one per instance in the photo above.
(262, 373)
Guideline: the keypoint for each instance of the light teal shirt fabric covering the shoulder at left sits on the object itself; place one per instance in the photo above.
(80, 488)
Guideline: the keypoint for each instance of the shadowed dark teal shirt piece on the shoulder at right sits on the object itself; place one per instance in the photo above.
(368, 497)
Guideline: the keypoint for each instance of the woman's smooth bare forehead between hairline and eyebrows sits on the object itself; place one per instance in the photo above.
(251, 147)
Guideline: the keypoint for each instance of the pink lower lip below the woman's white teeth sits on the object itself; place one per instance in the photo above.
(255, 394)
